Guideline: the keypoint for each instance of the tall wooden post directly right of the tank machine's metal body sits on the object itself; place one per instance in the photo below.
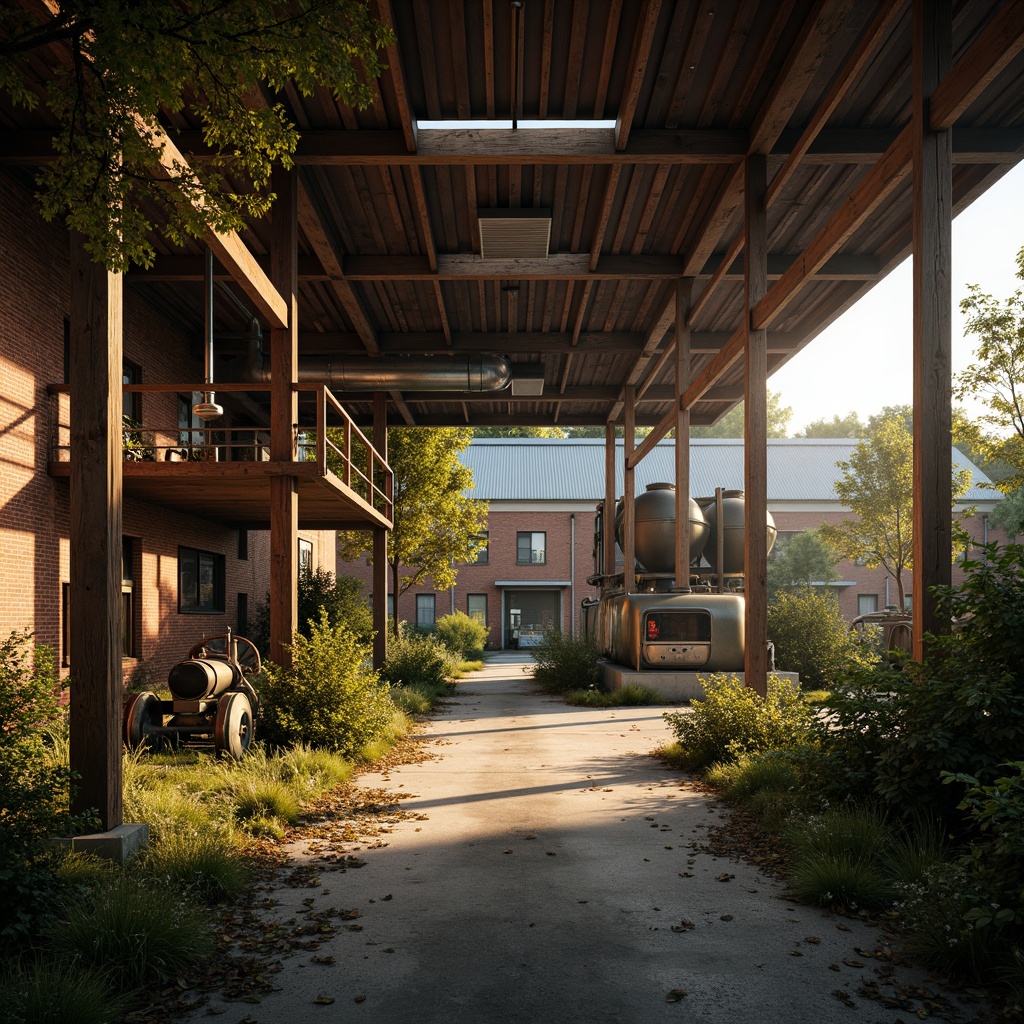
(756, 428)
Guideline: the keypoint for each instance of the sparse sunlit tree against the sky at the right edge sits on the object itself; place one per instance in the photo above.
(997, 376)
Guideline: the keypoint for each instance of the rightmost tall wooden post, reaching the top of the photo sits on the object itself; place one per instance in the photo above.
(932, 27)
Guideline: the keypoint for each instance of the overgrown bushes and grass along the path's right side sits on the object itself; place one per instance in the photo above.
(904, 793)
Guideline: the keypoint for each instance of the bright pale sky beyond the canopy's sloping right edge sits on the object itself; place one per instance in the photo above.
(865, 362)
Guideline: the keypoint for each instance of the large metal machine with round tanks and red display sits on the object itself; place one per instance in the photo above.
(665, 625)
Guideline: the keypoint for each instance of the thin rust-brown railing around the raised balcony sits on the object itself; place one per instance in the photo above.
(324, 435)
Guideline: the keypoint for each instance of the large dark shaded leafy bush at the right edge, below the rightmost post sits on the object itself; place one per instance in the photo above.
(892, 735)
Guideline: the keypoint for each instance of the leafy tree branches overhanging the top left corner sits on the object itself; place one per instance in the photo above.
(116, 72)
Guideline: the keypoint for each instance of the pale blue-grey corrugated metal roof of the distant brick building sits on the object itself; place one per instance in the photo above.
(573, 470)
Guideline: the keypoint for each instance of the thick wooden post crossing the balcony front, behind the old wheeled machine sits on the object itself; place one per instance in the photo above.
(284, 415)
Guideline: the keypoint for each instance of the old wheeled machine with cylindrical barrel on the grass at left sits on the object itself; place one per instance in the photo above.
(212, 701)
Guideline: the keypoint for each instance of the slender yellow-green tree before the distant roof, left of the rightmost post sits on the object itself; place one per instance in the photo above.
(878, 488)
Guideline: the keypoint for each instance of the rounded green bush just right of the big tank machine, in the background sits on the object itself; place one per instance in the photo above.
(813, 637)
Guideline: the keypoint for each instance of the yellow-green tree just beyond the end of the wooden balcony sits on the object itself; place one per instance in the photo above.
(436, 526)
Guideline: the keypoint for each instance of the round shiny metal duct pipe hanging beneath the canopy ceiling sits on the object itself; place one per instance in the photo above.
(465, 372)
